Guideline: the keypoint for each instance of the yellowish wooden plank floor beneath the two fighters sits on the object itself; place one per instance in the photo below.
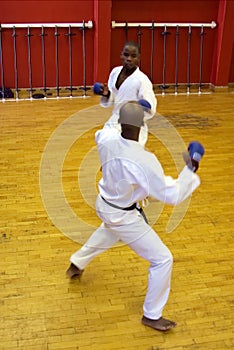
(49, 171)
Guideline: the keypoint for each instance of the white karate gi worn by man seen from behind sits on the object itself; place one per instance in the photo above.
(130, 174)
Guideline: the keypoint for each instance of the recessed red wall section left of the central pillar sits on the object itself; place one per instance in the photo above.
(46, 12)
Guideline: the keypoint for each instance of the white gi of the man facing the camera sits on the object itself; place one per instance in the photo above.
(137, 86)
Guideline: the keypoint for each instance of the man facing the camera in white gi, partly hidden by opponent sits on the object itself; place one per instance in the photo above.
(128, 83)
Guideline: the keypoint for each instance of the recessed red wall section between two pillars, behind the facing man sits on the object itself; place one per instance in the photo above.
(174, 11)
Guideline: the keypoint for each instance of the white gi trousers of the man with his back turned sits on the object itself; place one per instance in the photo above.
(130, 228)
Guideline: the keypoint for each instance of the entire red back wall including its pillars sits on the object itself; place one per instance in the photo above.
(103, 44)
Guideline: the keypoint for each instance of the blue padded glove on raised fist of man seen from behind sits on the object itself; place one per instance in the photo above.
(194, 155)
